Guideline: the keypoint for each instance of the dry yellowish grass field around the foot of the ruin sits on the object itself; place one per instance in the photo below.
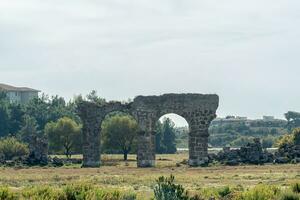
(126, 176)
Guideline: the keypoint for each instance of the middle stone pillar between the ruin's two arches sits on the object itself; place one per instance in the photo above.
(146, 149)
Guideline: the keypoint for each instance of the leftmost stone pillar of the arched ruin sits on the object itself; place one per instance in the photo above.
(91, 143)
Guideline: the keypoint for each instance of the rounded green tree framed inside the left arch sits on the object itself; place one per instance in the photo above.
(119, 133)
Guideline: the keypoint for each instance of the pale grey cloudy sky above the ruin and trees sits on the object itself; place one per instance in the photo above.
(247, 52)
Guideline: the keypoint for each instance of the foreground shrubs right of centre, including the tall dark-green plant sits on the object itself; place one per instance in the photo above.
(166, 189)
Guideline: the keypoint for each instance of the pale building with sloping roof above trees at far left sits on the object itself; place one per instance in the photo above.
(19, 95)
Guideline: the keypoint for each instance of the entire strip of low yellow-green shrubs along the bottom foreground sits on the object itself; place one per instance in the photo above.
(165, 189)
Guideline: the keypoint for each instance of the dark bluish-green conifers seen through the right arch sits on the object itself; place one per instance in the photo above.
(165, 137)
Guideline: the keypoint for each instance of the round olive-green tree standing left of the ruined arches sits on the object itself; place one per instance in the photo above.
(64, 135)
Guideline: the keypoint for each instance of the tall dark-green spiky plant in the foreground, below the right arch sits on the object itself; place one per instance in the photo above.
(166, 189)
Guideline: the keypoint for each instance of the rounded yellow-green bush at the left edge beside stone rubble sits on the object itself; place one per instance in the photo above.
(11, 148)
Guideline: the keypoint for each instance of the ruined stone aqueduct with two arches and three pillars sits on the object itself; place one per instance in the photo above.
(198, 110)
